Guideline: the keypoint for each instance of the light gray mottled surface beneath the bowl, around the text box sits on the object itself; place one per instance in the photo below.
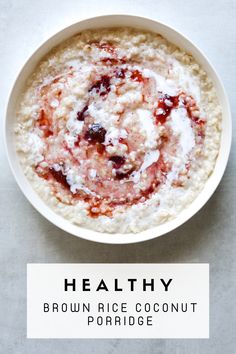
(27, 237)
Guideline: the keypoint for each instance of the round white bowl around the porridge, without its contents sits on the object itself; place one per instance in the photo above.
(172, 36)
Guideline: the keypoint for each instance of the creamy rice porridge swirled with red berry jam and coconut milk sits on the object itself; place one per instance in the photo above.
(118, 130)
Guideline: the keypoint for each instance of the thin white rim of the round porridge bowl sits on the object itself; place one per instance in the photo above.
(104, 237)
